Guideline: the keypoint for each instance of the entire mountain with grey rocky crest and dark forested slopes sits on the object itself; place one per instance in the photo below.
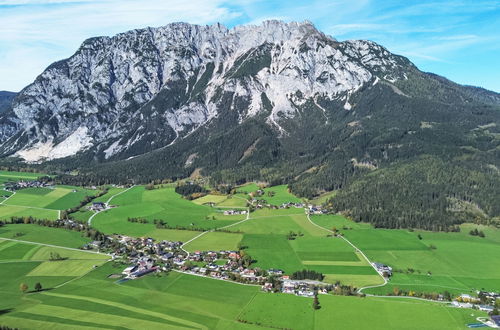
(279, 102)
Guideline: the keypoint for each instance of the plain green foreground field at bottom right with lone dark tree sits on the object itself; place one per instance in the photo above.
(337, 312)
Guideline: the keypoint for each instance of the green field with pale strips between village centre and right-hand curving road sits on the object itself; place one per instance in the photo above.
(266, 240)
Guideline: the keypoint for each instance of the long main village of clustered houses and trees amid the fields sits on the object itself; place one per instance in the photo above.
(146, 256)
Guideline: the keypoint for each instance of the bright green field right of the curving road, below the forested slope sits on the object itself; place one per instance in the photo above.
(459, 262)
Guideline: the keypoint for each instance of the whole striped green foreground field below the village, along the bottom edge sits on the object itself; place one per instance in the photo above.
(178, 301)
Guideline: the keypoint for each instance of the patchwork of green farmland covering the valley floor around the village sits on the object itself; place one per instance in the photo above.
(79, 294)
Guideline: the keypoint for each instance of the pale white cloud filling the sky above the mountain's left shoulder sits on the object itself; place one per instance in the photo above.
(35, 33)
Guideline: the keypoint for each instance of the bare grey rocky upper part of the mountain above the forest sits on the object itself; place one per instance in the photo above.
(122, 96)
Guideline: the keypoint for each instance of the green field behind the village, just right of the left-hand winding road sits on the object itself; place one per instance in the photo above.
(163, 204)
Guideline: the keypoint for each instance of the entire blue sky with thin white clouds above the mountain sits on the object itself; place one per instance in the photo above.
(458, 39)
